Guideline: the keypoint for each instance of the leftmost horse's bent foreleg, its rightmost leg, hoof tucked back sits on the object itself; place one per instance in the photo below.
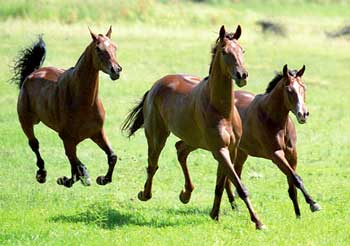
(101, 140)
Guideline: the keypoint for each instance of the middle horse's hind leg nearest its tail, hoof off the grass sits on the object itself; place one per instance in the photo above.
(156, 135)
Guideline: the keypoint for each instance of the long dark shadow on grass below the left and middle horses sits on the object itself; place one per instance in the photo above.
(104, 216)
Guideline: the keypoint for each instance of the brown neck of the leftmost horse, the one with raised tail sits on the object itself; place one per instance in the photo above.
(85, 81)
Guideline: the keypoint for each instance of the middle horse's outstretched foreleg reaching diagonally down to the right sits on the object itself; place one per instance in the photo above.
(223, 157)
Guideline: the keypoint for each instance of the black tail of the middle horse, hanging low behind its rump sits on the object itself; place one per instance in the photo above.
(134, 120)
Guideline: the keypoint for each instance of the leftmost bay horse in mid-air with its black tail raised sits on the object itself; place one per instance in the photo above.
(67, 101)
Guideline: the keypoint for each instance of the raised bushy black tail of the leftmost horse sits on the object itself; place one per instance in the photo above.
(28, 60)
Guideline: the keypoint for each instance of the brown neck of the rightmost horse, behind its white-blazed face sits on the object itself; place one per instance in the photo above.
(274, 106)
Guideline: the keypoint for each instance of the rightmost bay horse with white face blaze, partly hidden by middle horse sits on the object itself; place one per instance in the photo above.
(269, 132)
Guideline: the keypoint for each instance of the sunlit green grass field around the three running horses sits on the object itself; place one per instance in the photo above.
(156, 38)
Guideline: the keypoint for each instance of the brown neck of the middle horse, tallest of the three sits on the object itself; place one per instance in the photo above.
(220, 89)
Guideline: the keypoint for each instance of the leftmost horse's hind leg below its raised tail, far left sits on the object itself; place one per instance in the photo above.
(28, 128)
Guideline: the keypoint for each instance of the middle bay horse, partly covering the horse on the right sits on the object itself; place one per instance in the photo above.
(201, 113)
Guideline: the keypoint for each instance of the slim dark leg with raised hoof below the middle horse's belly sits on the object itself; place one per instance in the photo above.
(183, 150)
